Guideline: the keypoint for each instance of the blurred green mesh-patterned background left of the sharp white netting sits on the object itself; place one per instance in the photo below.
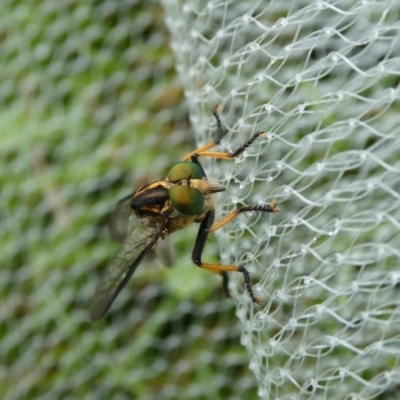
(90, 109)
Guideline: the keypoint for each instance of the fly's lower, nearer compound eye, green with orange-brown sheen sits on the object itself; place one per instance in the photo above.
(187, 200)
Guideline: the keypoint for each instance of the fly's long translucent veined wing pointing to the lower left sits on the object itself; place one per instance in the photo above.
(138, 242)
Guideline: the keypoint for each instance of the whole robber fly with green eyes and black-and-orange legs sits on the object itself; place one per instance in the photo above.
(164, 206)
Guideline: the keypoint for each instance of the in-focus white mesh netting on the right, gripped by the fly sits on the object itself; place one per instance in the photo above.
(322, 79)
